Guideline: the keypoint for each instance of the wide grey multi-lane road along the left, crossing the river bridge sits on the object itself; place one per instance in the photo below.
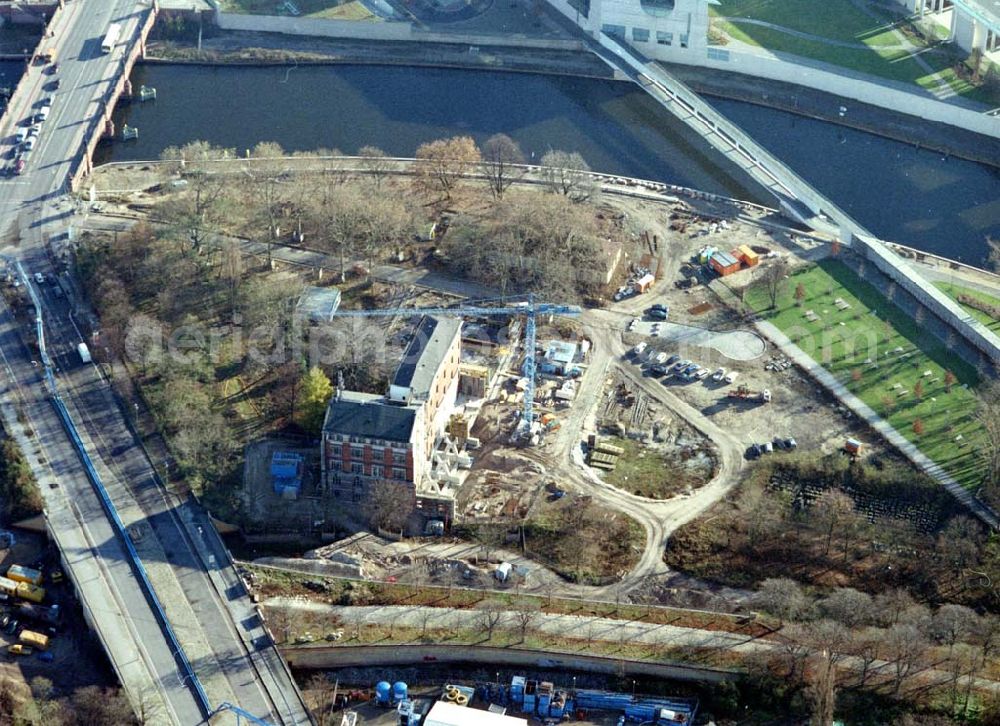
(215, 623)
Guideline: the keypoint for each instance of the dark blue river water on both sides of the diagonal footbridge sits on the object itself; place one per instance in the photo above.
(917, 197)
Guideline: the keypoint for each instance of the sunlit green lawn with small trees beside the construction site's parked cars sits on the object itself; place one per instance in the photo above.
(877, 351)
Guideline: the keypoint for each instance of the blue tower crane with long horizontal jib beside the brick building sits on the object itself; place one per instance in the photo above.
(491, 307)
